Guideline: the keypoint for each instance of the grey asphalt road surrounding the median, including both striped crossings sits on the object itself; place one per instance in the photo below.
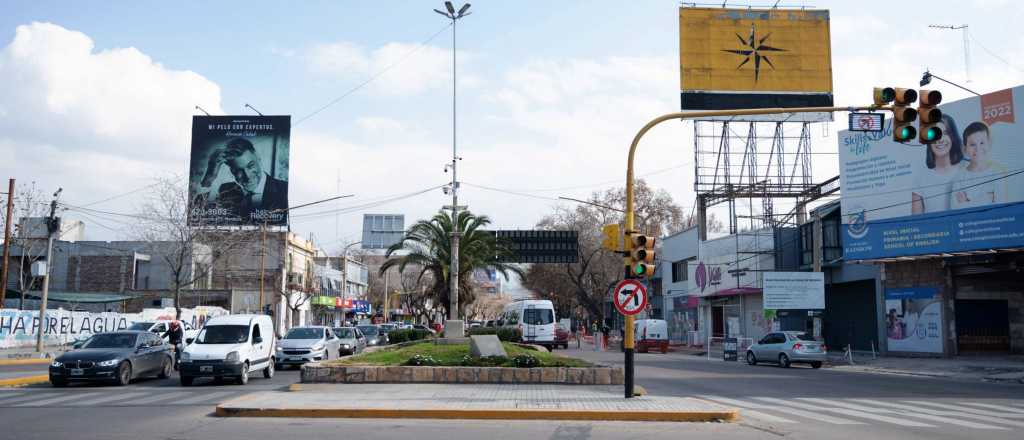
(775, 403)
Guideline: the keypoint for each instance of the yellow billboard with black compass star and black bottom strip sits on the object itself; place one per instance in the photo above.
(741, 59)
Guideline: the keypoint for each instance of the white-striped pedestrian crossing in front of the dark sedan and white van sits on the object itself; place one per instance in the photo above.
(68, 399)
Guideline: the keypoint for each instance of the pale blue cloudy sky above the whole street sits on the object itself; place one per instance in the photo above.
(97, 97)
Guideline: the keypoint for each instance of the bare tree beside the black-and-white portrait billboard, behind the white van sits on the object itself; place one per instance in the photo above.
(189, 252)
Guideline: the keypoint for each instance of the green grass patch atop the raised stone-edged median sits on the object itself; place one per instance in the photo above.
(452, 356)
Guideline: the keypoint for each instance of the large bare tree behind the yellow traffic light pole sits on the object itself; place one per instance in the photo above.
(587, 283)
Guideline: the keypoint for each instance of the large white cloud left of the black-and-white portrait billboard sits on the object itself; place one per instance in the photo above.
(97, 123)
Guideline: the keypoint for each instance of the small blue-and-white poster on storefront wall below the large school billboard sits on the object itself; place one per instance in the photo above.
(914, 320)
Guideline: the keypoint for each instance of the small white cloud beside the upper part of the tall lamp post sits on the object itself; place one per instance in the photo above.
(411, 69)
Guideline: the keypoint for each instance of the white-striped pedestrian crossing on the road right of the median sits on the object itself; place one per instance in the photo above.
(905, 414)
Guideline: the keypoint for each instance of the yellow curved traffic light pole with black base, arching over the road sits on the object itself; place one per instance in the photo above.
(628, 342)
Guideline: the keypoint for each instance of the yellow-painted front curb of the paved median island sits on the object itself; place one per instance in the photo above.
(483, 415)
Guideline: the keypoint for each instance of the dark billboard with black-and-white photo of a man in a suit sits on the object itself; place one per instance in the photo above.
(239, 170)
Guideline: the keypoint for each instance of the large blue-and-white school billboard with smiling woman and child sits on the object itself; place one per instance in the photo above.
(964, 193)
